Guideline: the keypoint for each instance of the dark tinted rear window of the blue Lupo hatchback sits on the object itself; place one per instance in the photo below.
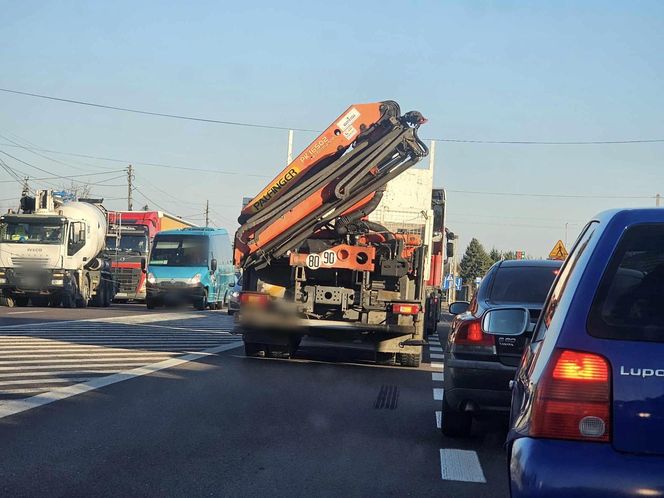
(629, 303)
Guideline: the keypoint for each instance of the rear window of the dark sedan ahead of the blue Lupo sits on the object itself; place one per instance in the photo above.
(522, 284)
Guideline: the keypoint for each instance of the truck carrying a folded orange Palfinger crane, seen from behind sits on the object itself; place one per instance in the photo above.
(313, 264)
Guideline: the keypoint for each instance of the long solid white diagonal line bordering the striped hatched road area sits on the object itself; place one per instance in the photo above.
(13, 407)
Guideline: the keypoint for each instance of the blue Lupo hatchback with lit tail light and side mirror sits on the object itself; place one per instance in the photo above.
(587, 415)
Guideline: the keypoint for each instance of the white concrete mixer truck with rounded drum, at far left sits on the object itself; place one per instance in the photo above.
(51, 253)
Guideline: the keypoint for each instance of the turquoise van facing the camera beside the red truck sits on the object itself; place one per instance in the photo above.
(190, 265)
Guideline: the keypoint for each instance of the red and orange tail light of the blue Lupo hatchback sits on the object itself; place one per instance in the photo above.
(573, 399)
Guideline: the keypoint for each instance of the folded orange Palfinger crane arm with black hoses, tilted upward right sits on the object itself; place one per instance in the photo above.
(336, 176)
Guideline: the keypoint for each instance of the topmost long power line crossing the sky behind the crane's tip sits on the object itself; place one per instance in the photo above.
(288, 128)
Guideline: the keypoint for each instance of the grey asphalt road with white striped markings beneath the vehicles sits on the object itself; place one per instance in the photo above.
(165, 403)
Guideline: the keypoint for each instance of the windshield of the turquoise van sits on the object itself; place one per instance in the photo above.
(180, 250)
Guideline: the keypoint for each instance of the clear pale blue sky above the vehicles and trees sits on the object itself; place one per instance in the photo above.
(504, 70)
